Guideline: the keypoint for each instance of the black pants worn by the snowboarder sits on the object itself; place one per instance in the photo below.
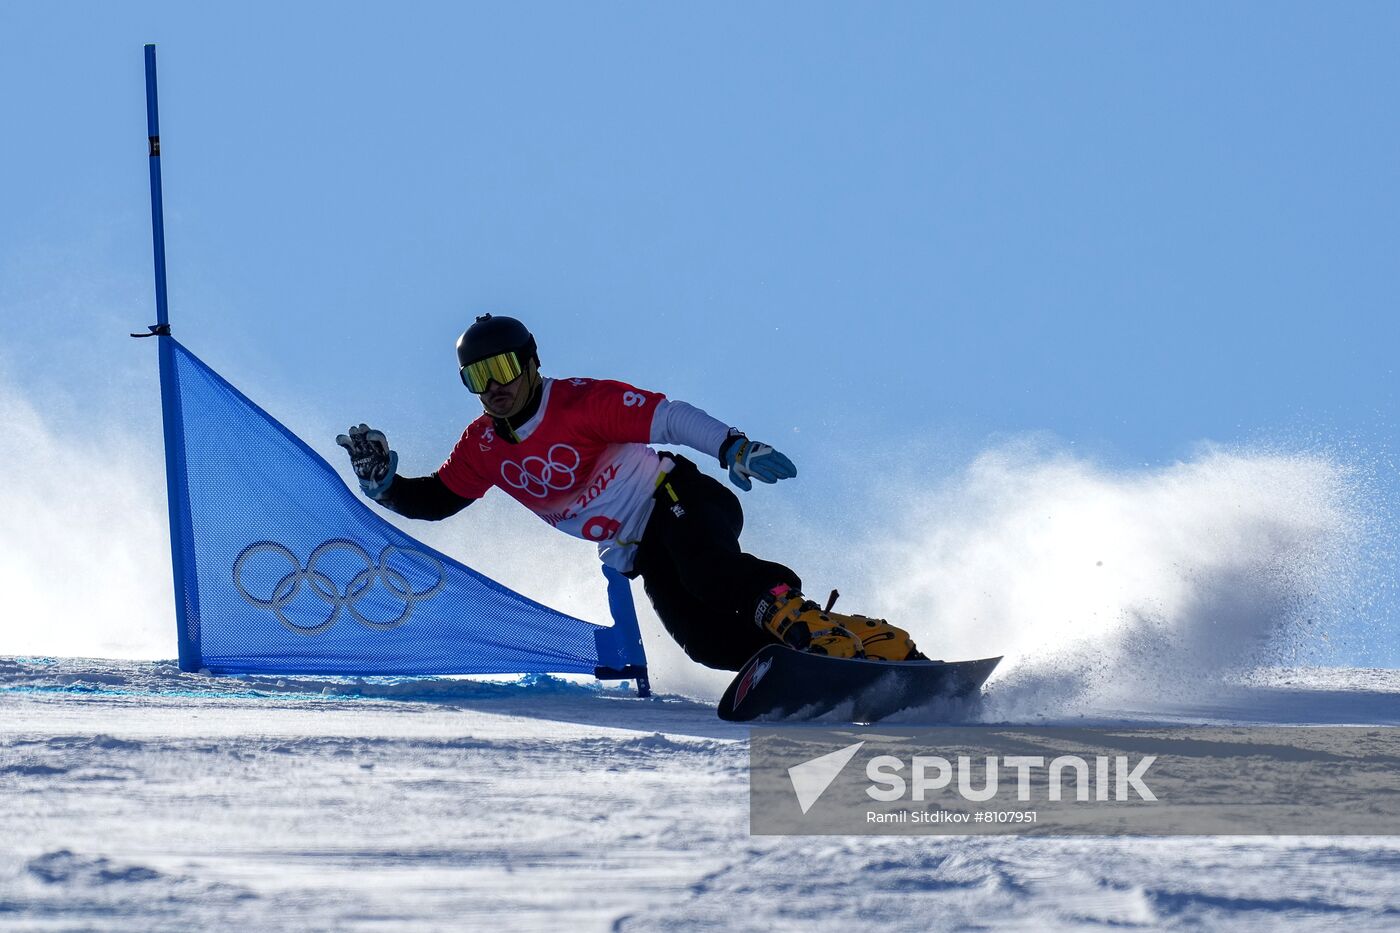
(702, 585)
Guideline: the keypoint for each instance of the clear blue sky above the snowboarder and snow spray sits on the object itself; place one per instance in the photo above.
(857, 228)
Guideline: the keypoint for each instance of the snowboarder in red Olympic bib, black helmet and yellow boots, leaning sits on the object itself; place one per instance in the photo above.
(576, 453)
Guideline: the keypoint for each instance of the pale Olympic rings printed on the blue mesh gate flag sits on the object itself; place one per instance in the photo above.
(324, 588)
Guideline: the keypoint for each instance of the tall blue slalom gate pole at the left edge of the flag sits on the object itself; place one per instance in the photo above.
(177, 491)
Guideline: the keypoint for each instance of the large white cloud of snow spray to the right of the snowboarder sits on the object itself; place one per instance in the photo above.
(1107, 586)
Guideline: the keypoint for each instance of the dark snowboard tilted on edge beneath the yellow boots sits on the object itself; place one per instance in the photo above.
(782, 683)
